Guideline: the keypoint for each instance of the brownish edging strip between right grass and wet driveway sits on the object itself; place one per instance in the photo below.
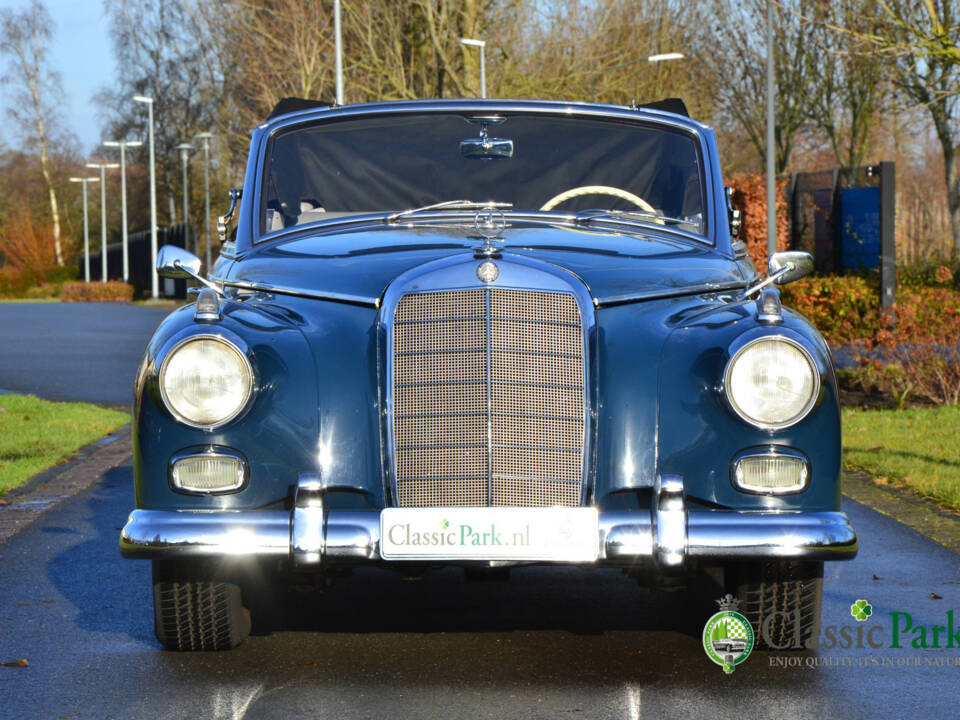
(906, 507)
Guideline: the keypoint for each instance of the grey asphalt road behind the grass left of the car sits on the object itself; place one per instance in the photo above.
(74, 351)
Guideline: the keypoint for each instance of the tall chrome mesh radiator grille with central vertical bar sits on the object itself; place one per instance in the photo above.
(488, 398)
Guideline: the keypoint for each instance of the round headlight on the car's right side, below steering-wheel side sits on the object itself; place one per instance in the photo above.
(772, 382)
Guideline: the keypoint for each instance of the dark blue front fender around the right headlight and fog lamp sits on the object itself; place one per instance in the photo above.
(699, 434)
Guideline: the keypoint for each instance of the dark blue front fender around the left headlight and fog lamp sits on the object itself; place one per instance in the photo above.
(277, 432)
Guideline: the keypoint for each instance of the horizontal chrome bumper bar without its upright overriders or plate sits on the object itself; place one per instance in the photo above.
(352, 537)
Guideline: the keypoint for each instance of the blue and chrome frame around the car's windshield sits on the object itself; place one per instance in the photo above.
(650, 119)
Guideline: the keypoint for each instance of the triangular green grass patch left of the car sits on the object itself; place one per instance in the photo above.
(36, 434)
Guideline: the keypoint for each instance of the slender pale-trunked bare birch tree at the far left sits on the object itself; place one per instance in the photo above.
(24, 39)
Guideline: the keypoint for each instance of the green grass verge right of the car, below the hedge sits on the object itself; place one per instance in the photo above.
(918, 448)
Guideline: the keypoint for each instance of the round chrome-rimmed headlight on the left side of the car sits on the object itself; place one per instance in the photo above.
(206, 381)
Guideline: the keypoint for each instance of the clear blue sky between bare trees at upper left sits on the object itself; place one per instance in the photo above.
(83, 55)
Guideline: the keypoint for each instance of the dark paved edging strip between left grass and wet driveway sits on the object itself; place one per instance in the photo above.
(61, 482)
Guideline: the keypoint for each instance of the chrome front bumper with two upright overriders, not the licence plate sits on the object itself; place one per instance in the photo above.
(312, 536)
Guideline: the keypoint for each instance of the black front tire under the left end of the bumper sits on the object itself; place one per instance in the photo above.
(194, 610)
